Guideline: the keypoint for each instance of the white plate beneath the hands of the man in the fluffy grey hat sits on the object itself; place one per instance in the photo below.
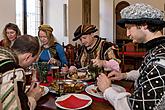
(92, 90)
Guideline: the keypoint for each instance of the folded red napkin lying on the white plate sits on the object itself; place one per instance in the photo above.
(73, 102)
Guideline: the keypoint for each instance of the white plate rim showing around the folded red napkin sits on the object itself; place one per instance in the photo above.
(80, 96)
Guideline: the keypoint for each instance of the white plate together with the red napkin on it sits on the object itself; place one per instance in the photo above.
(73, 101)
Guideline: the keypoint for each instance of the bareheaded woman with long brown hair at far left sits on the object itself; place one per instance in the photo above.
(10, 33)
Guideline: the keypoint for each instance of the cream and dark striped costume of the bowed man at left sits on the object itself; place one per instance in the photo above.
(12, 81)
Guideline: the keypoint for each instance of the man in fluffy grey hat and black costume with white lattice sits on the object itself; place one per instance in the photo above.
(144, 24)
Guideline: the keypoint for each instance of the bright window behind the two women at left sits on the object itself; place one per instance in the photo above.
(29, 15)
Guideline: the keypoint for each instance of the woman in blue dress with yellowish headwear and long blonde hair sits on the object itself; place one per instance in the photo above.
(51, 51)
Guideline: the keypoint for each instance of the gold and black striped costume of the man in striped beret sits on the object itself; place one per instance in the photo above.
(102, 49)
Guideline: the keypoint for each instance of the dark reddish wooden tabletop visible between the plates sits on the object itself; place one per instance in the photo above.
(47, 102)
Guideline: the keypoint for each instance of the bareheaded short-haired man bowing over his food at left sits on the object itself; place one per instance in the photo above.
(12, 75)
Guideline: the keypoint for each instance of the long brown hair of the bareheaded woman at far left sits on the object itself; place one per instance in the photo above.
(7, 42)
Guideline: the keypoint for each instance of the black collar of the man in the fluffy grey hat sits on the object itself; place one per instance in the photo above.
(154, 42)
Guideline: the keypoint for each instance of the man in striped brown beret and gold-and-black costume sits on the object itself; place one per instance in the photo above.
(95, 50)
